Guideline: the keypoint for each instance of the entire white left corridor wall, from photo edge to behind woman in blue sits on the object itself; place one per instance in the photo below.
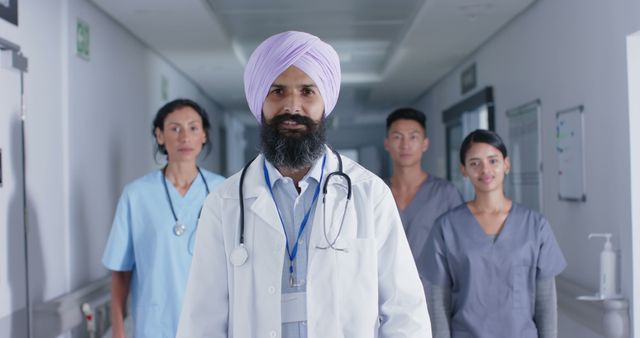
(88, 133)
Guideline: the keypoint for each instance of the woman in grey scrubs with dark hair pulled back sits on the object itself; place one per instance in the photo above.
(491, 263)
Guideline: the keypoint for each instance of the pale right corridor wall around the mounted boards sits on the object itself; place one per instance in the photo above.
(564, 53)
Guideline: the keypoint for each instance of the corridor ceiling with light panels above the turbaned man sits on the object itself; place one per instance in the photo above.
(391, 51)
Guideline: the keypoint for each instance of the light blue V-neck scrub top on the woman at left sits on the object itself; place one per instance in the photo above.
(142, 241)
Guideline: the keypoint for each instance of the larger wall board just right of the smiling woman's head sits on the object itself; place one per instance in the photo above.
(525, 150)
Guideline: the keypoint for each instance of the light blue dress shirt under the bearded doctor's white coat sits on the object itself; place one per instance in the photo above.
(292, 207)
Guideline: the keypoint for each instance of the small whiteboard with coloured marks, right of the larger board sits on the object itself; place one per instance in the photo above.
(570, 151)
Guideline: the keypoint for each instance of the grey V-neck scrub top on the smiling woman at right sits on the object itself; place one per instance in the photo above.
(492, 282)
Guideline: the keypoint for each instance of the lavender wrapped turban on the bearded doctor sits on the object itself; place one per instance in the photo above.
(277, 53)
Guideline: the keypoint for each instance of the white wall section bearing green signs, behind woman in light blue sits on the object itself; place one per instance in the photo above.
(115, 96)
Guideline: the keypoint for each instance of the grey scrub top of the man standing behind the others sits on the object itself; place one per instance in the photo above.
(434, 197)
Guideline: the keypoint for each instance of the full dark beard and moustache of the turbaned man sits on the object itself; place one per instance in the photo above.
(292, 150)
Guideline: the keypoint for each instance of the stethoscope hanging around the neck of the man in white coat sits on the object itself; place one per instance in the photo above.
(239, 254)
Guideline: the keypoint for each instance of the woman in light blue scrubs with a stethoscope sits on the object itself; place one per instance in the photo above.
(151, 242)
